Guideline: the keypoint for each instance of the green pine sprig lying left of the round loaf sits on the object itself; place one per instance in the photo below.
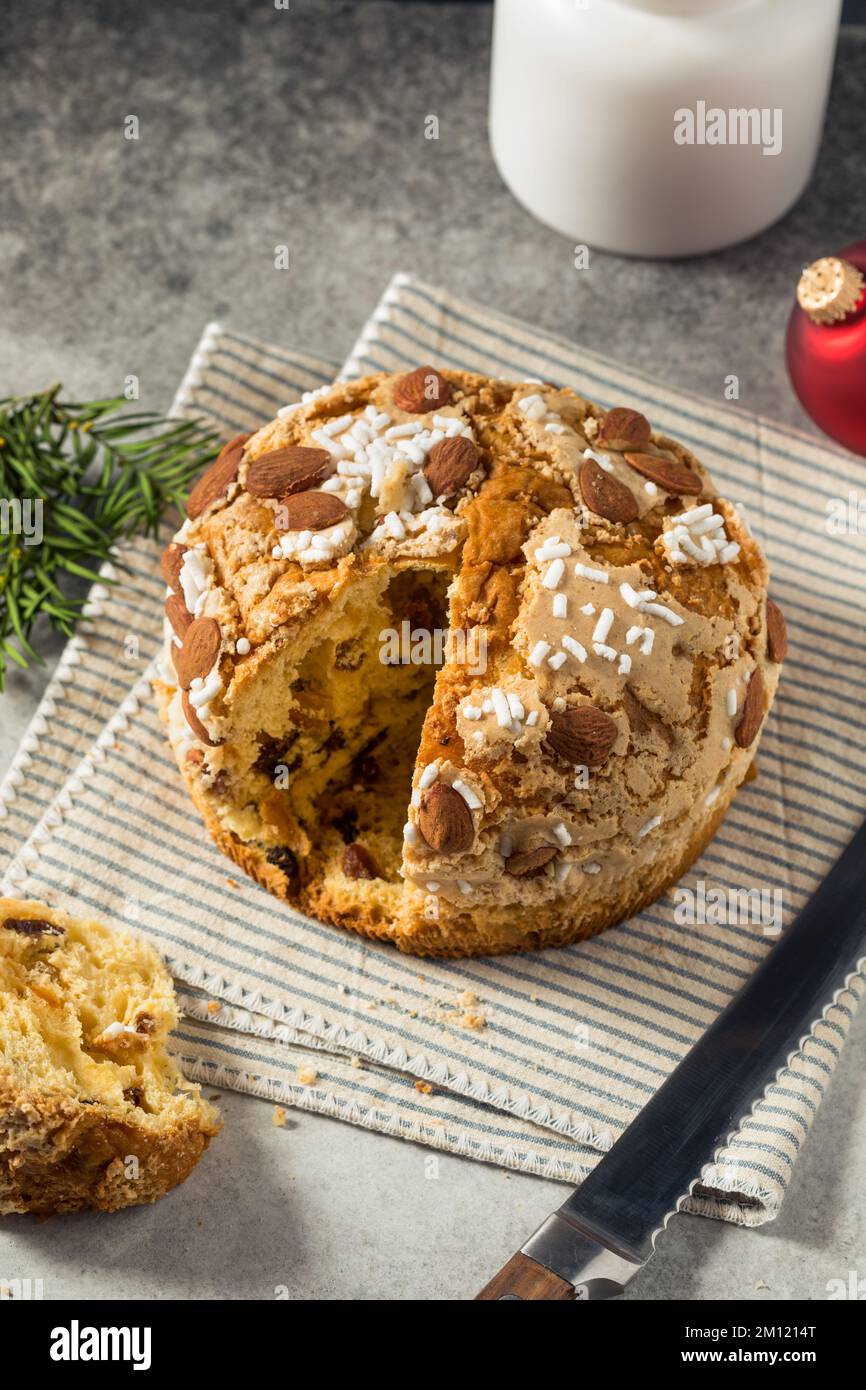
(101, 472)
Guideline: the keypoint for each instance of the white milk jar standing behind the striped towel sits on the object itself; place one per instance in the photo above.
(660, 127)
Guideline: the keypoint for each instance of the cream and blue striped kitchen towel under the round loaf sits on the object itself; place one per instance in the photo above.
(534, 1063)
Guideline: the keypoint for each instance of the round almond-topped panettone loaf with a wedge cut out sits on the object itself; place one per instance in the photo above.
(462, 664)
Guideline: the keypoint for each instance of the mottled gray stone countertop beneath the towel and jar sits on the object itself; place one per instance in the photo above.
(307, 127)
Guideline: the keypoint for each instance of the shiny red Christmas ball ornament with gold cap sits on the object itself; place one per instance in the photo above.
(828, 345)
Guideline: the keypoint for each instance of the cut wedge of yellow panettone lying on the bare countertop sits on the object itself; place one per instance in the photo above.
(94, 1113)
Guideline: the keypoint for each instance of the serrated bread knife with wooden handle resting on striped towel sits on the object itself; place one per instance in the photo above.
(607, 1229)
